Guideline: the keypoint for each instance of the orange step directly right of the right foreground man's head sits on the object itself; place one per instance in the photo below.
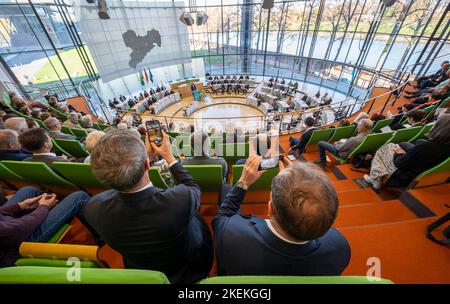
(375, 213)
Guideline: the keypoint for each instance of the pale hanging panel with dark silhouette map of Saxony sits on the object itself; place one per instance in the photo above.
(138, 35)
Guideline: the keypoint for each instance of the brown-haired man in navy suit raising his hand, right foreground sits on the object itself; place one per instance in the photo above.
(297, 239)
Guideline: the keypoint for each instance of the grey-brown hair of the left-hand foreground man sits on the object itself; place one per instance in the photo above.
(118, 159)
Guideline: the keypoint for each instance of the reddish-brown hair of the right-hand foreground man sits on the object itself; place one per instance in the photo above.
(304, 201)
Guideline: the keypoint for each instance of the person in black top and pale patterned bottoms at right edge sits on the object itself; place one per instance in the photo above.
(405, 161)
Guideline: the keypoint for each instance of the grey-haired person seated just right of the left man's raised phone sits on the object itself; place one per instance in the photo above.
(200, 144)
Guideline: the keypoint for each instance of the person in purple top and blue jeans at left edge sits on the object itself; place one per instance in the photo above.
(30, 216)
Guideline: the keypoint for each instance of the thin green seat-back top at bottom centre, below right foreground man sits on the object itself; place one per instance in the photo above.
(294, 280)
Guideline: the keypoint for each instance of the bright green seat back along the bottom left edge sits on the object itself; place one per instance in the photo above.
(59, 275)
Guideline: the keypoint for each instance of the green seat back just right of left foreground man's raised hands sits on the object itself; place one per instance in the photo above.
(208, 177)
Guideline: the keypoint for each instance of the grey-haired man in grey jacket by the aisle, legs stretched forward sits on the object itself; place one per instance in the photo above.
(344, 147)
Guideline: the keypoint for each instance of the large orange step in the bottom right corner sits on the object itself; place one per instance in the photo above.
(405, 254)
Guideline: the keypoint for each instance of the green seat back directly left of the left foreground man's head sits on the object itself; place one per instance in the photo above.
(79, 174)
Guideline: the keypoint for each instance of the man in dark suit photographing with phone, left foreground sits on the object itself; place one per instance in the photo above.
(151, 228)
